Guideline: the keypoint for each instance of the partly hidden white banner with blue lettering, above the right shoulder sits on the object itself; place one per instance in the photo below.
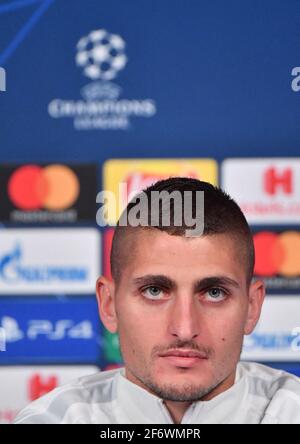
(277, 335)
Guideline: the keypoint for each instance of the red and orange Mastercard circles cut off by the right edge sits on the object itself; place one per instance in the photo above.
(277, 253)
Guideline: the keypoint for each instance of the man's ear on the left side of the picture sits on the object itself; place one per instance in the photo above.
(105, 290)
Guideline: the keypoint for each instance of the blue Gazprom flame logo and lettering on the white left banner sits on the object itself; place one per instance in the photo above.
(12, 270)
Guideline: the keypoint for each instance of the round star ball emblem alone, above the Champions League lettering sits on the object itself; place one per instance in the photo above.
(101, 55)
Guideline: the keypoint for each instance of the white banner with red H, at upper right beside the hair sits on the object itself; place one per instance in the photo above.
(267, 190)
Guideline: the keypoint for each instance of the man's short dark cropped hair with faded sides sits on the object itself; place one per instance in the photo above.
(222, 216)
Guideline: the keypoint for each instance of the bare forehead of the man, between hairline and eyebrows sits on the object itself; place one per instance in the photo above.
(157, 252)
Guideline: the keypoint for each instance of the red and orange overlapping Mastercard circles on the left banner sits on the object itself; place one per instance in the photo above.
(54, 187)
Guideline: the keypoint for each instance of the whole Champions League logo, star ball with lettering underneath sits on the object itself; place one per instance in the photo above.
(101, 56)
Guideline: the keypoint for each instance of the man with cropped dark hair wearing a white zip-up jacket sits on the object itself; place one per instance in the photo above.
(181, 305)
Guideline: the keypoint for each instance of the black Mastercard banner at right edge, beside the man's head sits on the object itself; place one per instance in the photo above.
(277, 259)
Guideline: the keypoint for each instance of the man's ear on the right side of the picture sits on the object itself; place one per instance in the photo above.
(256, 298)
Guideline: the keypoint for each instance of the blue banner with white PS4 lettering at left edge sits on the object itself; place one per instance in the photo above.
(50, 330)
